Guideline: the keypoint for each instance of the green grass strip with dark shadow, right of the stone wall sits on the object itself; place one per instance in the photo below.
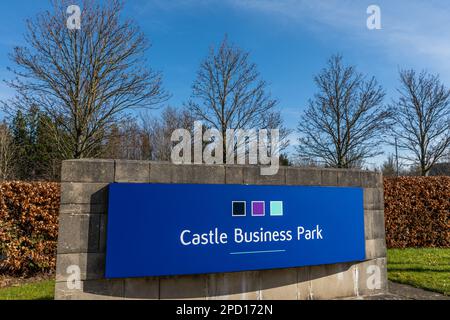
(426, 268)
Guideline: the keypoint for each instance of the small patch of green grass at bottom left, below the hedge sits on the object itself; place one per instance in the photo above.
(42, 290)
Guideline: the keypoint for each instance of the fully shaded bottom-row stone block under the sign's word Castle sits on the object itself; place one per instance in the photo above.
(183, 287)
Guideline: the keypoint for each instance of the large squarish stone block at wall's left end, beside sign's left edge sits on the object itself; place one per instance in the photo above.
(79, 233)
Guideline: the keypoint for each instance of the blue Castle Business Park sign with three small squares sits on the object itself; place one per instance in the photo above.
(176, 229)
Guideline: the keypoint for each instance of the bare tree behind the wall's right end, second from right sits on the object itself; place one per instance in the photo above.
(342, 124)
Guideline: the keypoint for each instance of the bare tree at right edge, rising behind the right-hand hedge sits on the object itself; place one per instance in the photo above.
(422, 119)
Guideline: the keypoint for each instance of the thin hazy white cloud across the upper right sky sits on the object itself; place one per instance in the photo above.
(413, 32)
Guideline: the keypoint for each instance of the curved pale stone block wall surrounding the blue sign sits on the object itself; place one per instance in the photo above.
(82, 236)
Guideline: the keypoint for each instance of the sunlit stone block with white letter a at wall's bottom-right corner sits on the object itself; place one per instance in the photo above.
(372, 277)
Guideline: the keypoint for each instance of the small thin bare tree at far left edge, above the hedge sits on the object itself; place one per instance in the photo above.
(7, 153)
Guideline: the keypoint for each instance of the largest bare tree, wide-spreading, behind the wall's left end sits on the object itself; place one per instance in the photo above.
(86, 79)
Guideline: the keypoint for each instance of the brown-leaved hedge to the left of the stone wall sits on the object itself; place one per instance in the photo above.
(28, 227)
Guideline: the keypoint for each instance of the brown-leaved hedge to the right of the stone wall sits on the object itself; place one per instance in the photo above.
(417, 211)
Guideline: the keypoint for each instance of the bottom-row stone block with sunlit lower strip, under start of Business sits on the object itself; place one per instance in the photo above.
(234, 286)
